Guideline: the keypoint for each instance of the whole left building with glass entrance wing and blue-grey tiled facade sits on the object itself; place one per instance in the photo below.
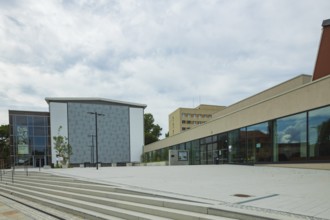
(119, 132)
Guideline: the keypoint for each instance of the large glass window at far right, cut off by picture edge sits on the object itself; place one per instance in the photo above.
(319, 134)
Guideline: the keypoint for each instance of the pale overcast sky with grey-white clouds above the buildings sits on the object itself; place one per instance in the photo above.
(166, 54)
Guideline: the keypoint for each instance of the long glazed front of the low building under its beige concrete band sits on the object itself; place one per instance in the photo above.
(302, 137)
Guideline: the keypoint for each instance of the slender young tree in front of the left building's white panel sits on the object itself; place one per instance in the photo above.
(62, 147)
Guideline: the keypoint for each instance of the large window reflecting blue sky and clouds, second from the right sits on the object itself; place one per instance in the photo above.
(291, 138)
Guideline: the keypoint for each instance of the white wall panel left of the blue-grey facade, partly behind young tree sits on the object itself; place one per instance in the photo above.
(58, 117)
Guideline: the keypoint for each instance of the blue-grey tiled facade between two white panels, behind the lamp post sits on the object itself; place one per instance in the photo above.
(113, 132)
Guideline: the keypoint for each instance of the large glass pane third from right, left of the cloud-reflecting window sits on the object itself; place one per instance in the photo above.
(259, 142)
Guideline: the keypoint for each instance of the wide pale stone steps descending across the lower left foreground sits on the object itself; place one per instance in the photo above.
(86, 200)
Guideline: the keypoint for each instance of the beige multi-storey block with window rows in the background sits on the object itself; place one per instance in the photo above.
(184, 119)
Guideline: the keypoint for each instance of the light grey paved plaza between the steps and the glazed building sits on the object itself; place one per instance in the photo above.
(303, 192)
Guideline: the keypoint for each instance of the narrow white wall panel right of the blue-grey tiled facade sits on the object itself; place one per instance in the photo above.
(136, 133)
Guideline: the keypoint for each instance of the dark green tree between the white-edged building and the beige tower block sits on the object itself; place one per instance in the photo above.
(152, 131)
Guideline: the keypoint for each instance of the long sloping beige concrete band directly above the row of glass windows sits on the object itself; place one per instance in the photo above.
(300, 98)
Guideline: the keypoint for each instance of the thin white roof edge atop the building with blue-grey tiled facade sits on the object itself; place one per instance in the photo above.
(94, 100)
